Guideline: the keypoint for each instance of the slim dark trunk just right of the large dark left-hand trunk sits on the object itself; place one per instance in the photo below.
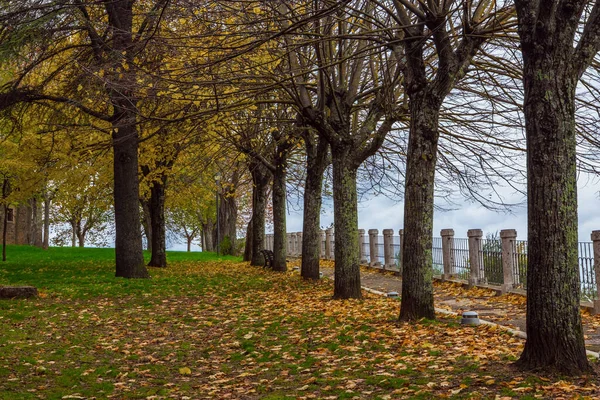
(157, 215)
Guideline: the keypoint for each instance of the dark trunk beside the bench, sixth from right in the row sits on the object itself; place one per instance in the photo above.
(260, 180)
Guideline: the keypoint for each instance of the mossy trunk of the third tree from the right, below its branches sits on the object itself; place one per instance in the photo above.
(345, 211)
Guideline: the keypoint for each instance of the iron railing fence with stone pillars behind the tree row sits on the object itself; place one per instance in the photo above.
(500, 261)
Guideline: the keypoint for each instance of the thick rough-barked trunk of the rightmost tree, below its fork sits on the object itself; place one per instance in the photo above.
(554, 333)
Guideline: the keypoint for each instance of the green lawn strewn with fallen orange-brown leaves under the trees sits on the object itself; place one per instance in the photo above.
(221, 329)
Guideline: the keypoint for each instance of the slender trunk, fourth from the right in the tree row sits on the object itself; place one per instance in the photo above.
(316, 161)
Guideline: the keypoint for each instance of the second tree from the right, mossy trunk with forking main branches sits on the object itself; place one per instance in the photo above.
(438, 42)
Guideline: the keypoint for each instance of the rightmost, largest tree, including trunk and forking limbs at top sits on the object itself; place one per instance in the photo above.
(559, 40)
